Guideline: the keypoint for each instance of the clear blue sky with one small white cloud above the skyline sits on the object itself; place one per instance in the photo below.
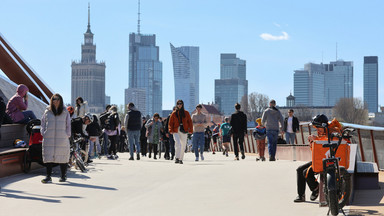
(274, 37)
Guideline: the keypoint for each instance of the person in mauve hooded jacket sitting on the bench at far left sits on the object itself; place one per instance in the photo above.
(18, 104)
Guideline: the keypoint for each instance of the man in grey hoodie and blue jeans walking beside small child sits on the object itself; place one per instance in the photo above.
(271, 119)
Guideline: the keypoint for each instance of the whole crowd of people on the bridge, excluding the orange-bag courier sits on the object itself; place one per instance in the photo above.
(105, 134)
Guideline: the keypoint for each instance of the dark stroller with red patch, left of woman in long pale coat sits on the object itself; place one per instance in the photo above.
(34, 152)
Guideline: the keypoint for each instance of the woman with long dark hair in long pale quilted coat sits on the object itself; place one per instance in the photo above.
(56, 130)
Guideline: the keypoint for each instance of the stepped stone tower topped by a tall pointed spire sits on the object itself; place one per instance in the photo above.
(88, 75)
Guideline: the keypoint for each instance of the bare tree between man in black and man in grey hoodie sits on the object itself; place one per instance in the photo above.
(257, 103)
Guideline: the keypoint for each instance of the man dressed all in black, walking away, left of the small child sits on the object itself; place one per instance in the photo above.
(239, 130)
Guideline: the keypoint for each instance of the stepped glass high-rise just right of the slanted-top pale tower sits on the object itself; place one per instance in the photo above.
(232, 85)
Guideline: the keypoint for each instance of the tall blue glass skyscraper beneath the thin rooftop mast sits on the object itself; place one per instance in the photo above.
(146, 70)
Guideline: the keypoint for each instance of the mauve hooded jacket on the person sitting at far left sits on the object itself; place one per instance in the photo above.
(16, 105)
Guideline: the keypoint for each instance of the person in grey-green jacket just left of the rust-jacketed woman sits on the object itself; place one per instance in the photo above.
(154, 134)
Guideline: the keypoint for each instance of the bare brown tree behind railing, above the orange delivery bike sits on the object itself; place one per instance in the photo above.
(351, 110)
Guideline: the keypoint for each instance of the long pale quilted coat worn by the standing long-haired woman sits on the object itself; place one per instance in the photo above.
(56, 131)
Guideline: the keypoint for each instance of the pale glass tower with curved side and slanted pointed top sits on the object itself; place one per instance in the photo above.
(186, 75)
